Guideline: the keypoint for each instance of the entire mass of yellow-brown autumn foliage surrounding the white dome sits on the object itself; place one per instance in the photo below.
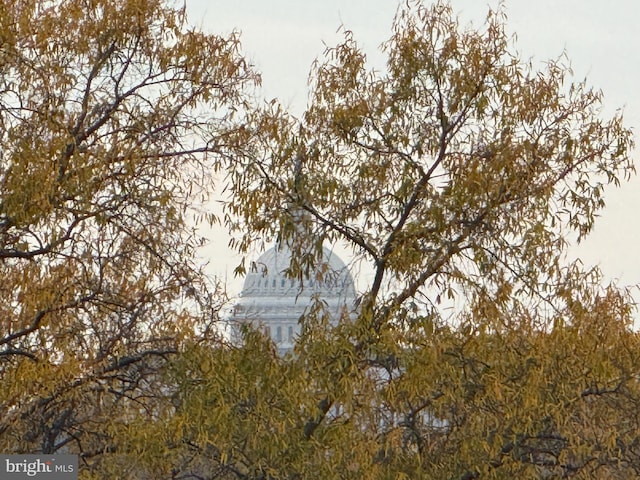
(456, 176)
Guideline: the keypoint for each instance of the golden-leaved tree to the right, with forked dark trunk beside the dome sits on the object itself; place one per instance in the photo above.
(457, 175)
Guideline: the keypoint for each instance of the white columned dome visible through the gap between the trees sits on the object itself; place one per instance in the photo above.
(274, 302)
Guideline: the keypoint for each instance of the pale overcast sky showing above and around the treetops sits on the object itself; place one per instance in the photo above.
(283, 37)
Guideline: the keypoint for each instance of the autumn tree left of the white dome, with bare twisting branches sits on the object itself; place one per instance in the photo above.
(112, 116)
